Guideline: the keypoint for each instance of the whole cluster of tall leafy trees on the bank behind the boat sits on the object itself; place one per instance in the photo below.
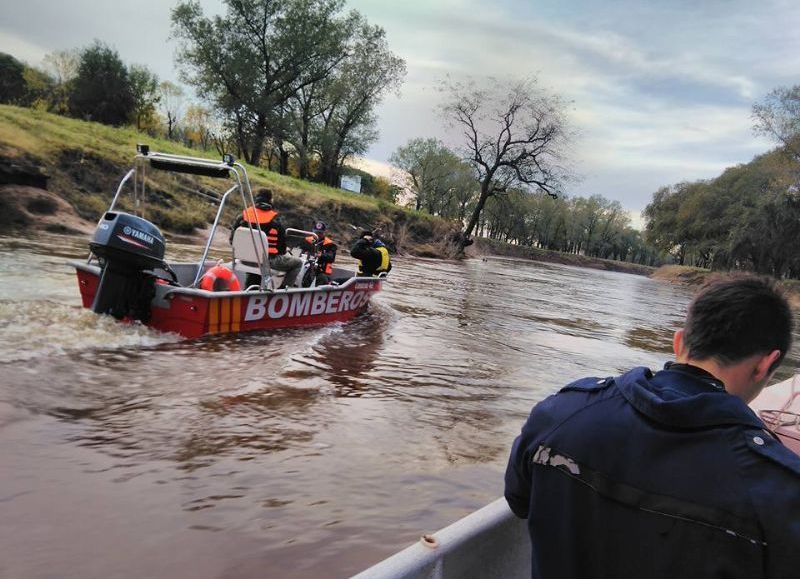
(289, 80)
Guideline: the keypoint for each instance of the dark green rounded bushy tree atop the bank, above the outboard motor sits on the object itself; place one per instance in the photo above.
(101, 90)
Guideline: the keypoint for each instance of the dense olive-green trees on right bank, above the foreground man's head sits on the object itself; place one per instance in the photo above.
(747, 218)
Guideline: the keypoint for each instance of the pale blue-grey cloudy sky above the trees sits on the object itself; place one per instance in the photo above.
(661, 89)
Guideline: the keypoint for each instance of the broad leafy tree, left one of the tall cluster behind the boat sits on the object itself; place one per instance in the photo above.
(250, 62)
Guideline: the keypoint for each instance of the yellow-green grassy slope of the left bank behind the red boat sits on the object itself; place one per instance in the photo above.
(86, 160)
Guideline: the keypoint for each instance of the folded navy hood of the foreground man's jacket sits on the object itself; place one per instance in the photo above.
(684, 399)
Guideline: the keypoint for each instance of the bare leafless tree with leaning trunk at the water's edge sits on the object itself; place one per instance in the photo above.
(514, 136)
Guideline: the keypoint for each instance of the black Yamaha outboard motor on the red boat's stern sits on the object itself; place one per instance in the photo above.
(127, 247)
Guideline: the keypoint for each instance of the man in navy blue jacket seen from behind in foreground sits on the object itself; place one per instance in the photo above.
(668, 474)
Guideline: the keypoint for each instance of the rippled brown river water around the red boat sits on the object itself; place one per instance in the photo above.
(125, 453)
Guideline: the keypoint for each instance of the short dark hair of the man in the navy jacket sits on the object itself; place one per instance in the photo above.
(738, 316)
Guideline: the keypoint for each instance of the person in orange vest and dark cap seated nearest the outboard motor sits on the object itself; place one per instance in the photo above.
(267, 218)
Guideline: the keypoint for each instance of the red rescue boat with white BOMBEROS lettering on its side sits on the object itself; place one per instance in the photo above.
(127, 276)
